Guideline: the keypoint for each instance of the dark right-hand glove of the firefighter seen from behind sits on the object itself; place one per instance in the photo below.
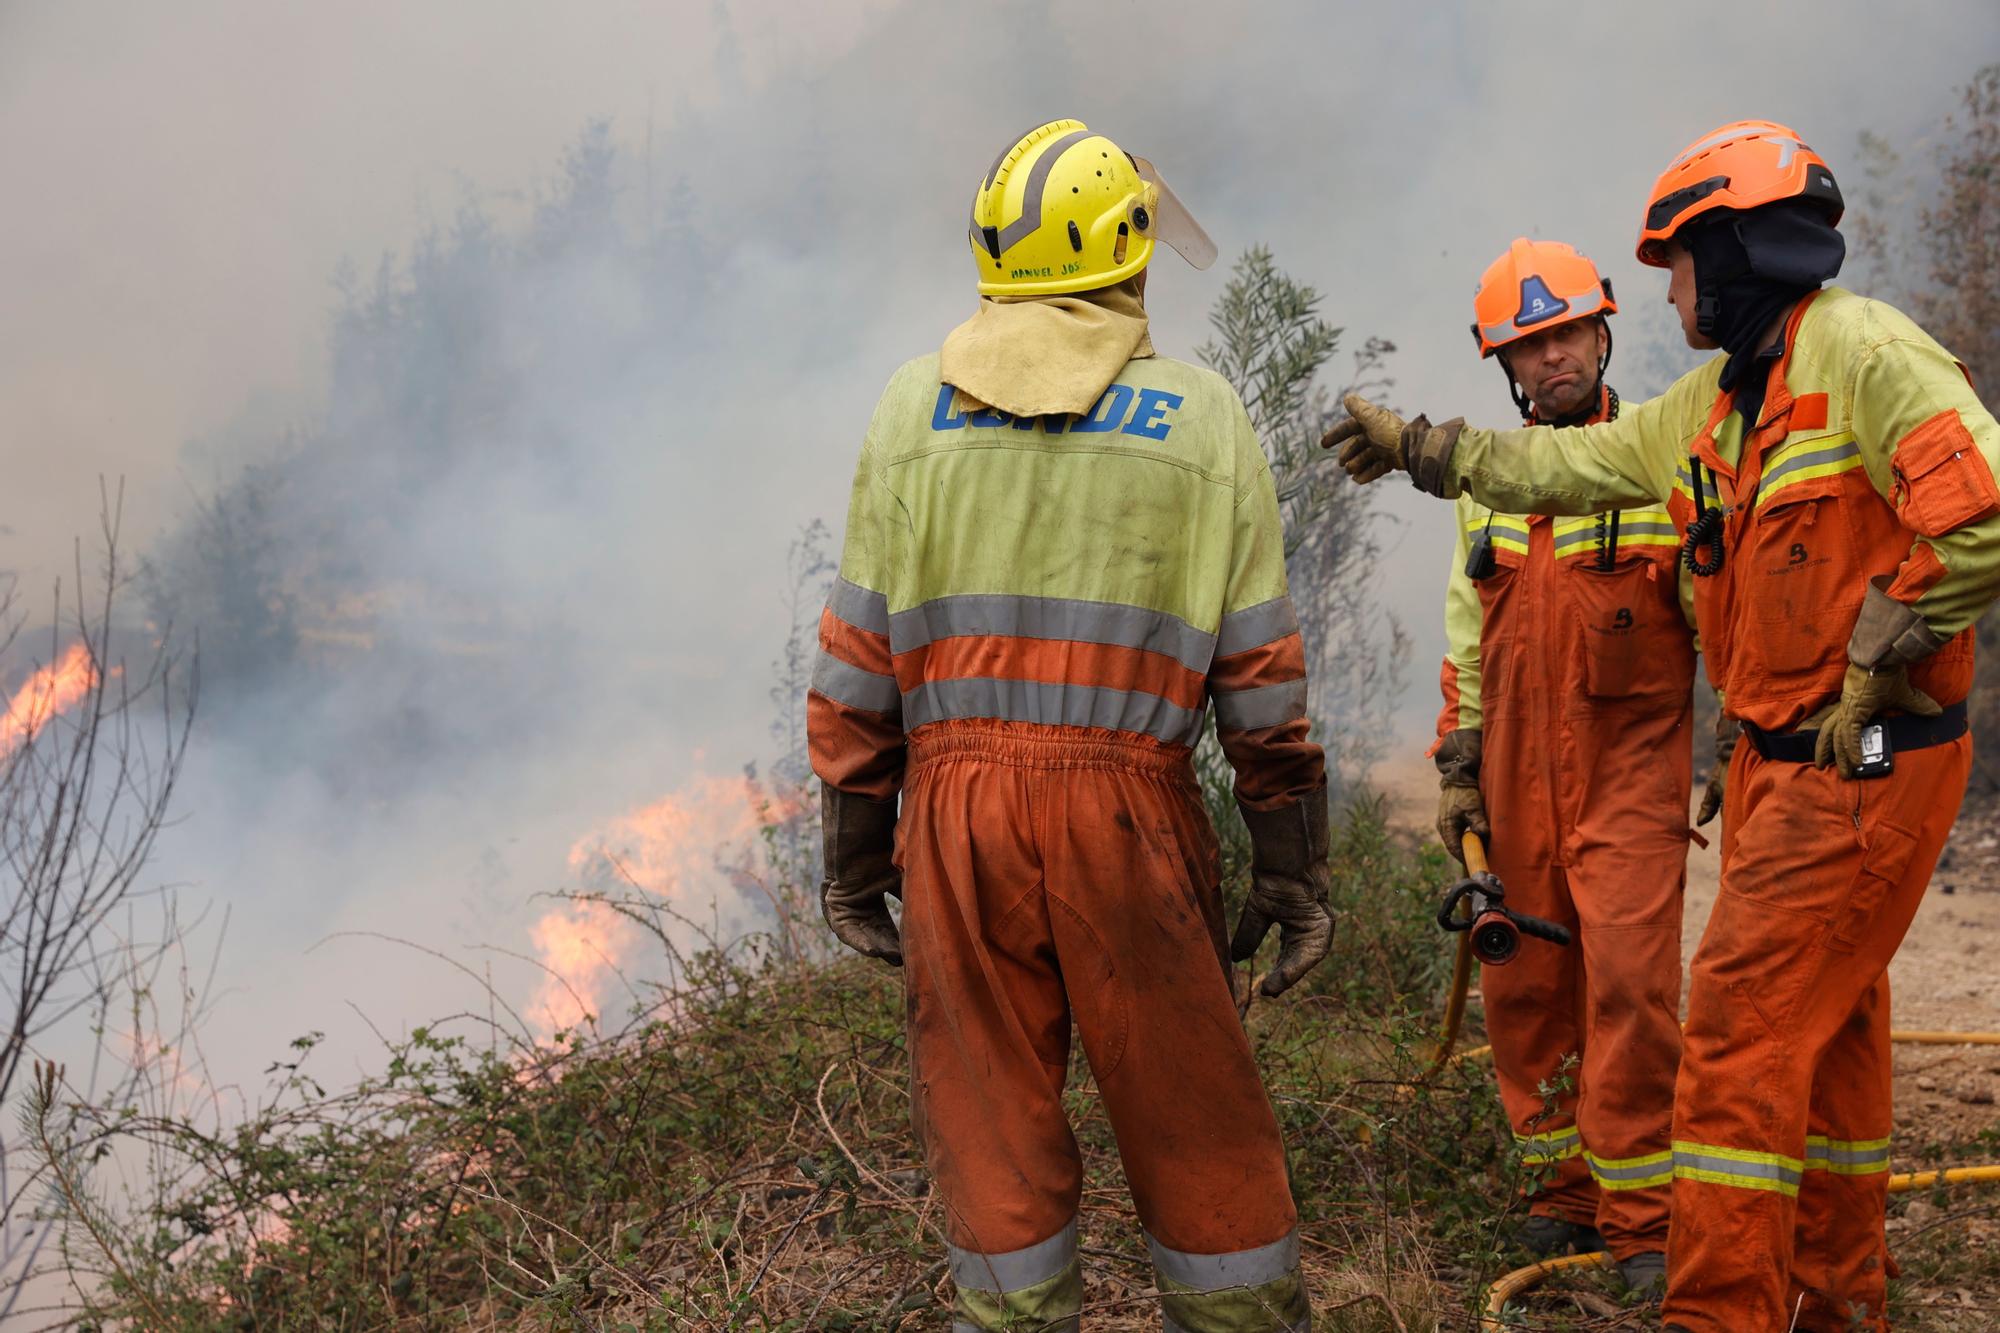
(1289, 880)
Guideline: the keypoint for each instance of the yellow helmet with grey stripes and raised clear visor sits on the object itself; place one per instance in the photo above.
(1067, 211)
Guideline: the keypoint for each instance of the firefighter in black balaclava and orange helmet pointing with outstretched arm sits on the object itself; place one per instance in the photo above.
(1833, 473)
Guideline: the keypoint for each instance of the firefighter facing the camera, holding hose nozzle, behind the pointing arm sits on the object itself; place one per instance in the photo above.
(1565, 728)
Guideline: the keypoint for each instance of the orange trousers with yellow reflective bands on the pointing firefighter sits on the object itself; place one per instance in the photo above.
(1783, 1110)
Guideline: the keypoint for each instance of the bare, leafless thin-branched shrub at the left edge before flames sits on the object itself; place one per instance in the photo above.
(91, 748)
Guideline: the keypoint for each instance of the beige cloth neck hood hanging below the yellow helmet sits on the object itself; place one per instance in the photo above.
(1047, 355)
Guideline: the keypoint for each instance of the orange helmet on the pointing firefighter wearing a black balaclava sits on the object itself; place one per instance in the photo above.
(1743, 165)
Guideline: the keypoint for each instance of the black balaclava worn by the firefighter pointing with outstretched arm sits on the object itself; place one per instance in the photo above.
(1749, 269)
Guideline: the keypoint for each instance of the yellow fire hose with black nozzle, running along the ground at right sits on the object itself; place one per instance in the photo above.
(1475, 910)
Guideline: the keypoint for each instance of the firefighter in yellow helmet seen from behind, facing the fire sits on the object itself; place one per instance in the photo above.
(1061, 553)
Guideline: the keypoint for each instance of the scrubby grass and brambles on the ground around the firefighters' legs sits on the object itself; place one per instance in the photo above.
(741, 1158)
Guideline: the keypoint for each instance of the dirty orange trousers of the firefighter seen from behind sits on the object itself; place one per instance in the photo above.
(1059, 876)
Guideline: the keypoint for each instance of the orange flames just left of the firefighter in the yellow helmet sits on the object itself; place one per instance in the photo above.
(695, 852)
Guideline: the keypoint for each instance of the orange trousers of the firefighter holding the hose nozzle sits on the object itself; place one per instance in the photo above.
(1591, 830)
